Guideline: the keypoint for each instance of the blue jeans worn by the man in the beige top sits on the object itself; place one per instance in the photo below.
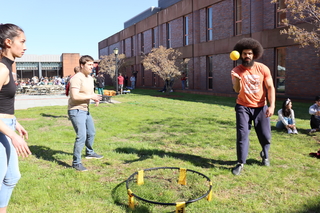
(84, 127)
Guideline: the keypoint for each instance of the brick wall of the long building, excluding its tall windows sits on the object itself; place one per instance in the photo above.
(258, 21)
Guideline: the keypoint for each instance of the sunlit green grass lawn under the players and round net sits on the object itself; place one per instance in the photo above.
(148, 129)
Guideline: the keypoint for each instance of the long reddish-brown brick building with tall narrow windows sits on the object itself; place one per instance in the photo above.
(205, 31)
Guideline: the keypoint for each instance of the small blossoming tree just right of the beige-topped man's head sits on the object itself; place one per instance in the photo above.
(108, 64)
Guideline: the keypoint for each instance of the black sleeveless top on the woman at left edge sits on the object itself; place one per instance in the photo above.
(7, 91)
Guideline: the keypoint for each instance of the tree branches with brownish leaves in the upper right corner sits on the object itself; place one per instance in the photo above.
(302, 11)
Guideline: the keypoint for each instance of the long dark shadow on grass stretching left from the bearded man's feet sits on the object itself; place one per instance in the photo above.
(144, 154)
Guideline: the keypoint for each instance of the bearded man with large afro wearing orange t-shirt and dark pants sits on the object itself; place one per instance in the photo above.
(253, 83)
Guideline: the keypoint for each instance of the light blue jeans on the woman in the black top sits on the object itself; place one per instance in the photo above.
(9, 165)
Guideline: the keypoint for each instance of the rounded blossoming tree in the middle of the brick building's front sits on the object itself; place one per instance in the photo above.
(166, 64)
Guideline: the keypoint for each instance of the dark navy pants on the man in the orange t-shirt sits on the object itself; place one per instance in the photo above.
(244, 118)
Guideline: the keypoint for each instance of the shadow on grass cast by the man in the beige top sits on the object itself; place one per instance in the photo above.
(45, 153)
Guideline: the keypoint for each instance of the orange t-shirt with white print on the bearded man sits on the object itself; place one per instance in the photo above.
(253, 92)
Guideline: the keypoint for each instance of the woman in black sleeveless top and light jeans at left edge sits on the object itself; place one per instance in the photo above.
(12, 145)
